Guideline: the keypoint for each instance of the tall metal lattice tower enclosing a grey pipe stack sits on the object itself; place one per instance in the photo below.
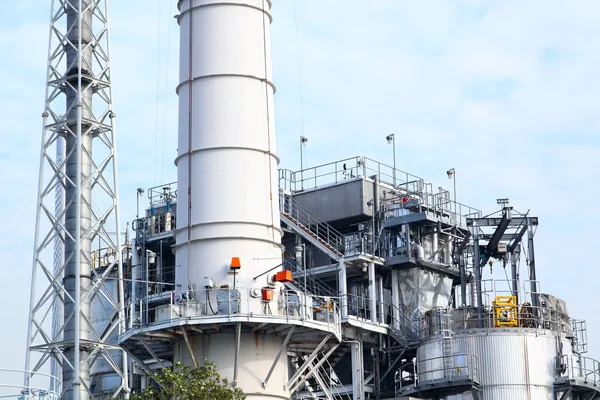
(77, 302)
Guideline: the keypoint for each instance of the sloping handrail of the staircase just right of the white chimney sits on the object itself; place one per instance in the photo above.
(312, 224)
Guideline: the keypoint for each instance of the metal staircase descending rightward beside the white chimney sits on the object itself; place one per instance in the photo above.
(311, 228)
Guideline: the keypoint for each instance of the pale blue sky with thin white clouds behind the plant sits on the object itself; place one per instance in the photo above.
(504, 92)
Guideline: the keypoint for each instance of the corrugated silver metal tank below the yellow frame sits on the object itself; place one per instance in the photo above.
(511, 364)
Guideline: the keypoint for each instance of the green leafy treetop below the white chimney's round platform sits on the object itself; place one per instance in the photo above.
(182, 383)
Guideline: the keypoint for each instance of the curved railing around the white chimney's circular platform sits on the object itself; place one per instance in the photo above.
(223, 304)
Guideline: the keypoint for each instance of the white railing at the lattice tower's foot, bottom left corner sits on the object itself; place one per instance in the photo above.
(41, 386)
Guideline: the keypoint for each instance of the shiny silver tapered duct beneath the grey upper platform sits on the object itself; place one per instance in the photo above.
(421, 290)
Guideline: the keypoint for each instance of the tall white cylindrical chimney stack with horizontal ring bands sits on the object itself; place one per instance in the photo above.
(227, 174)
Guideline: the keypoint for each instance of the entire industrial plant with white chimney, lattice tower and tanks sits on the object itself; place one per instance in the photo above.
(348, 280)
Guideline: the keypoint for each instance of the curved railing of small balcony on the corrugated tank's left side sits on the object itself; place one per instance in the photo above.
(436, 371)
